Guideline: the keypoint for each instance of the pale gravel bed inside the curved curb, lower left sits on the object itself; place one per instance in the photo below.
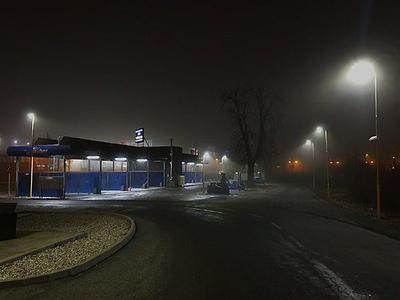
(102, 230)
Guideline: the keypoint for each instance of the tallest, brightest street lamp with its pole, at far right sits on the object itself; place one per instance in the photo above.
(360, 73)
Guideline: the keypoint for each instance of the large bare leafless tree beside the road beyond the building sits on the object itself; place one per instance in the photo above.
(256, 117)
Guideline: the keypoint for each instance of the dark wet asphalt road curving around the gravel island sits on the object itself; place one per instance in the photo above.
(279, 242)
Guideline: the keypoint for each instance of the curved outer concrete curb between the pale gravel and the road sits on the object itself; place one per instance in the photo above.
(85, 265)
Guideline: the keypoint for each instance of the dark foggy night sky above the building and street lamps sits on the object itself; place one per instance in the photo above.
(101, 70)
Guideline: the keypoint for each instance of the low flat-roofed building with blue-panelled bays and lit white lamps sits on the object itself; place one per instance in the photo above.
(72, 165)
